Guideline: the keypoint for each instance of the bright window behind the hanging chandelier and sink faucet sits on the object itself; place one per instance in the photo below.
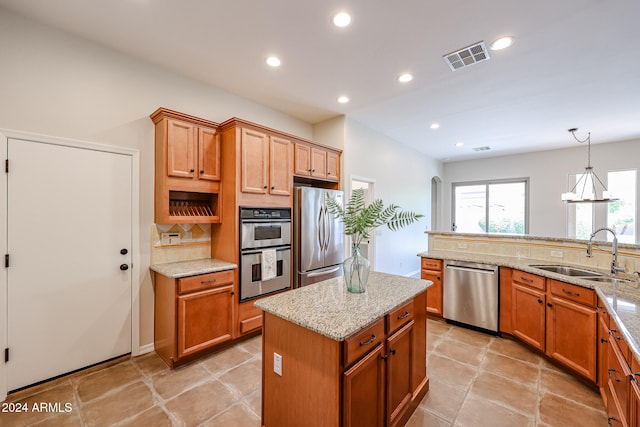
(584, 218)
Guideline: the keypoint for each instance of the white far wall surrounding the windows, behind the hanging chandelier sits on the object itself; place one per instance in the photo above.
(548, 172)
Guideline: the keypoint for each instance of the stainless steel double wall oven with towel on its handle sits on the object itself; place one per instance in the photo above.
(263, 229)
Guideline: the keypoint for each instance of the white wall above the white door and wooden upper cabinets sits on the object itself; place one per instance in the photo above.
(56, 84)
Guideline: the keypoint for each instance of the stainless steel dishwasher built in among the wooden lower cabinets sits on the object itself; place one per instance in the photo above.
(471, 294)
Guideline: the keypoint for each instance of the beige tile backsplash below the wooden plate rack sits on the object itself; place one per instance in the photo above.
(194, 242)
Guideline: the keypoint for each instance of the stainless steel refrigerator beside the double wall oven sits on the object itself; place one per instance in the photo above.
(318, 236)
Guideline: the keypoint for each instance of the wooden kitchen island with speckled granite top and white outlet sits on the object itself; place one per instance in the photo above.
(333, 358)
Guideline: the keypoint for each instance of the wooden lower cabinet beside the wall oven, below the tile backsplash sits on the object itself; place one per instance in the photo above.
(192, 314)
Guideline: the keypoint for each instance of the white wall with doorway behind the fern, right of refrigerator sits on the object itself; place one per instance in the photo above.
(402, 176)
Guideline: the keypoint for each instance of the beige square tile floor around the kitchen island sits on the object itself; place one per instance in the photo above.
(475, 380)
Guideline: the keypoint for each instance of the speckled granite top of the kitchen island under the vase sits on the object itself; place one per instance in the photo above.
(328, 309)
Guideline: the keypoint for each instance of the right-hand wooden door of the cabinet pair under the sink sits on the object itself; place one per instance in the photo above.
(572, 335)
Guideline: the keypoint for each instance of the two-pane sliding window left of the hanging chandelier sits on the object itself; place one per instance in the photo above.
(491, 206)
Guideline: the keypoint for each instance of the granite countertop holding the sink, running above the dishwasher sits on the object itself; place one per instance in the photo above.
(622, 300)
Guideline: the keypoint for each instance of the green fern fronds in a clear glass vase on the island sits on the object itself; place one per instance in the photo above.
(360, 220)
